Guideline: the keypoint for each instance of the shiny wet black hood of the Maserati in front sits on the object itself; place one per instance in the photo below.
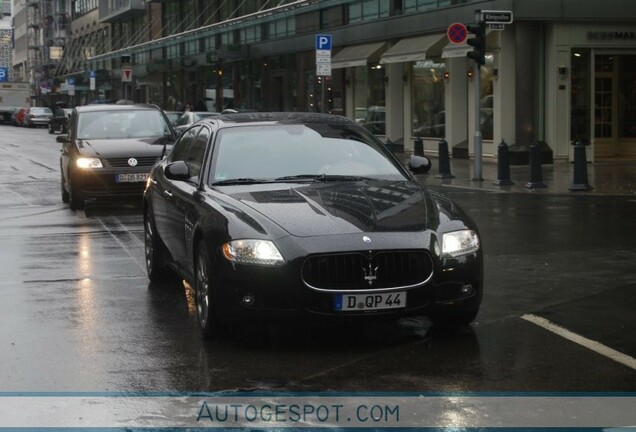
(337, 207)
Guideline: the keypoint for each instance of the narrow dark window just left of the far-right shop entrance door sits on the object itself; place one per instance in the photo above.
(580, 98)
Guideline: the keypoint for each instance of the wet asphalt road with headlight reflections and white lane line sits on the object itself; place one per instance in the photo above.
(77, 312)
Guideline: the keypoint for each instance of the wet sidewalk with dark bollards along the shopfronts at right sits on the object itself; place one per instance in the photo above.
(605, 177)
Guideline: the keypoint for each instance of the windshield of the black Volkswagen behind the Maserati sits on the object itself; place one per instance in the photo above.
(121, 124)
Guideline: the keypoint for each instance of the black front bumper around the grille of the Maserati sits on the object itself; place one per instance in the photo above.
(243, 291)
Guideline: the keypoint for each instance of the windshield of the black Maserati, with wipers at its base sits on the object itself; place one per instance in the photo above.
(300, 152)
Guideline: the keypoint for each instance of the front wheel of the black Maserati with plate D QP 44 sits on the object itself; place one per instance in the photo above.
(204, 296)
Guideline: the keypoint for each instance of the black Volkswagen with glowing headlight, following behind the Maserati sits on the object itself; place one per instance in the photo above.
(110, 149)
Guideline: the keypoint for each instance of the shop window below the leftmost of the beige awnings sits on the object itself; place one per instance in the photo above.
(369, 97)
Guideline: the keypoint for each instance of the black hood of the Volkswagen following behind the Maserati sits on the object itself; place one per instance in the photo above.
(123, 147)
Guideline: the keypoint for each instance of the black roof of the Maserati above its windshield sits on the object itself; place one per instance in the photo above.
(260, 118)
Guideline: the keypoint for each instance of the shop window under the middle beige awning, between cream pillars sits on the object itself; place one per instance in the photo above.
(428, 111)
